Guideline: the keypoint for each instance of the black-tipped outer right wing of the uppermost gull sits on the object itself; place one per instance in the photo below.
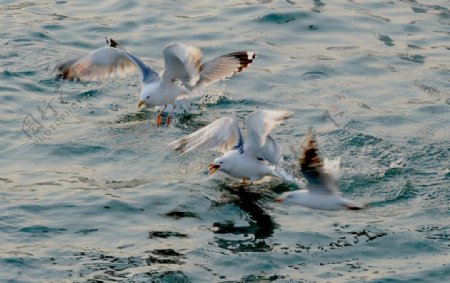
(224, 67)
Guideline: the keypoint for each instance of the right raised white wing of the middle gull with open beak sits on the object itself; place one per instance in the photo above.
(259, 125)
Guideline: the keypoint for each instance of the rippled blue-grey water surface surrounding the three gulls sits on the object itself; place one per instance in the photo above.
(96, 194)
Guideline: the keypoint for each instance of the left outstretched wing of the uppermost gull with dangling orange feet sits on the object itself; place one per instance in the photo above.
(103, 63)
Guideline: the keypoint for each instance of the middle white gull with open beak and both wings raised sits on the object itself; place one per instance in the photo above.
(258, 157)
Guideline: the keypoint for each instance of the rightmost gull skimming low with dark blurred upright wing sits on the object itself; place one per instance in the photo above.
(321, 189)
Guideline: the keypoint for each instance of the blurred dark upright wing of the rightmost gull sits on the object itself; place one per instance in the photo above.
(318, 175)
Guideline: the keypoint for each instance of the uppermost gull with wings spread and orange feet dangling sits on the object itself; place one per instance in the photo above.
(185, 71)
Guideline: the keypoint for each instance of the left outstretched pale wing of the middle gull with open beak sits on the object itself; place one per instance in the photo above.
(222, 135)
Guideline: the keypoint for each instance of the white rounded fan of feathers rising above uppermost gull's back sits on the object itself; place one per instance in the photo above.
(182, 62)
